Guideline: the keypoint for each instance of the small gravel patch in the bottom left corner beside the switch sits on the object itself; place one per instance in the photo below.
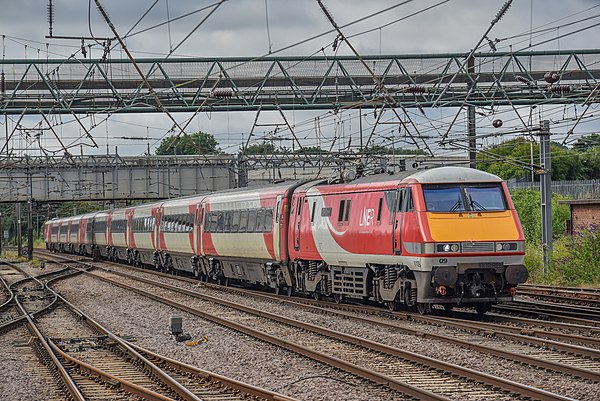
(23, 376)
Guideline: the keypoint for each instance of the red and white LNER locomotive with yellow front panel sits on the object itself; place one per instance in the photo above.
(386, 240)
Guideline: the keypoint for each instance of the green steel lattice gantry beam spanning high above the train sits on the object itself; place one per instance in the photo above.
(286, 83)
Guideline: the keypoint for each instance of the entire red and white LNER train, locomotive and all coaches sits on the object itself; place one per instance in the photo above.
(447, 235)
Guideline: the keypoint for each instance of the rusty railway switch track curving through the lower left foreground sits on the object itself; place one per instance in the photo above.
(94, 364)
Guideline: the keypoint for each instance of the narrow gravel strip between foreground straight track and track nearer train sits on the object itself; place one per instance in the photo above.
(554, 382)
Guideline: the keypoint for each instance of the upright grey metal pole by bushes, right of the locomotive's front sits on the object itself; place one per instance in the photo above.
(546, 195)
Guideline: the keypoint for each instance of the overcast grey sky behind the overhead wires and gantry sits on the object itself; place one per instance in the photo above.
(257, 27)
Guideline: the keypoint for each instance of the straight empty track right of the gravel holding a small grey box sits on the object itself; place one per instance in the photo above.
(343, 346)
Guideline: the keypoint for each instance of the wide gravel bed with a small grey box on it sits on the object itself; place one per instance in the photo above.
(226, 352)
